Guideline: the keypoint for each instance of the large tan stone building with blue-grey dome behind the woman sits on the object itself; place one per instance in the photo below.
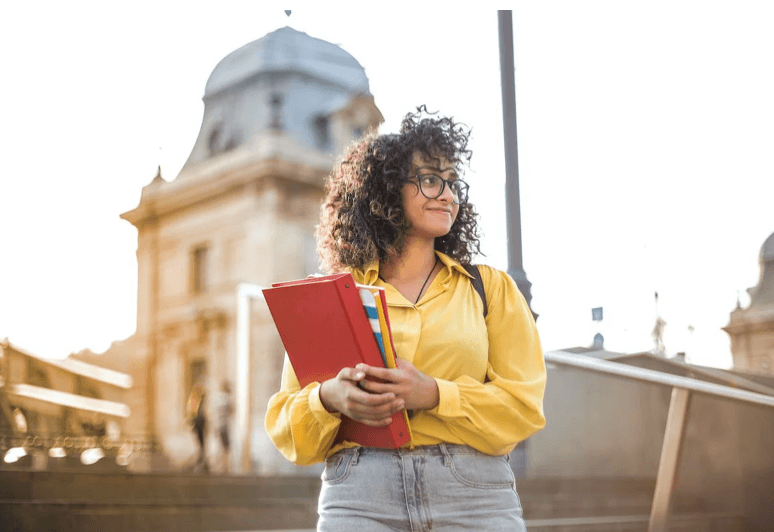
(277, 112)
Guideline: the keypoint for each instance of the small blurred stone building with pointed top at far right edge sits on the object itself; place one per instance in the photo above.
(752, 329)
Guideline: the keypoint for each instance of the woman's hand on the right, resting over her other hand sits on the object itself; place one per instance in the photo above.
(417, 390)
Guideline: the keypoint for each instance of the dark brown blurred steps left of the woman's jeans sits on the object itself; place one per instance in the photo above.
(78, 502)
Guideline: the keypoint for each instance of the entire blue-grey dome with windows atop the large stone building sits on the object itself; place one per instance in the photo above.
(285, 84)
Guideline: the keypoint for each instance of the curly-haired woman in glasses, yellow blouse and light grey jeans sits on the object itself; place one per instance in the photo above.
(396, 215)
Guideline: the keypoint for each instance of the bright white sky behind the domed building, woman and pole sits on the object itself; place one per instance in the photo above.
(645, 140)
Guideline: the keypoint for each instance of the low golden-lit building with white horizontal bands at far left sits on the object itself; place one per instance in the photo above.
(56, 413)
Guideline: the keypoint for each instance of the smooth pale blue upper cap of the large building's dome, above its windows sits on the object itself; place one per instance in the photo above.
(287, 49)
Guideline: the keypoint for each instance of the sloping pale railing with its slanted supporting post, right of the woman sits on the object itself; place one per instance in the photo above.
(676, 418)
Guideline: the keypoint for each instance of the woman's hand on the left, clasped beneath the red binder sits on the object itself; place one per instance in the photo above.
(342, 394)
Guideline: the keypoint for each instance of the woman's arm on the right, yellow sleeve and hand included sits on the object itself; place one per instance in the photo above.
(495, 415)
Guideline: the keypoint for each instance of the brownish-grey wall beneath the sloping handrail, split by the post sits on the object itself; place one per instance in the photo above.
(609, 427)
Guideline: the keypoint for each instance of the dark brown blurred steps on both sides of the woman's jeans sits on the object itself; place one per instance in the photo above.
(70, 501)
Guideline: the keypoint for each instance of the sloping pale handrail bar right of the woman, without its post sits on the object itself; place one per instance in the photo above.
(648, 375)
